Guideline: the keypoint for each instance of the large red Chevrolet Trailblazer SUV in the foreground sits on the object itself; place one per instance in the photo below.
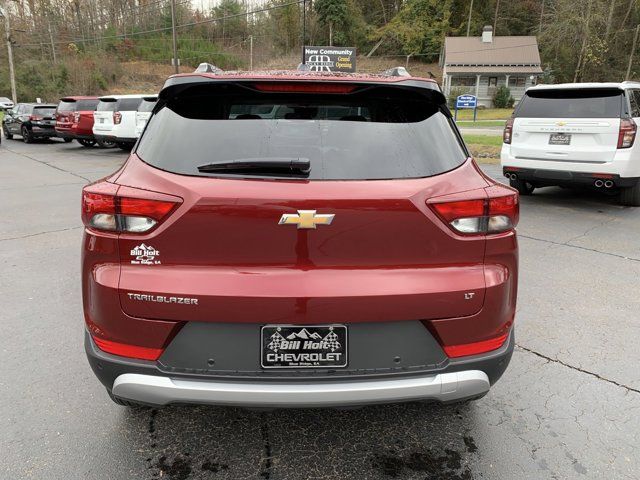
(297, 239)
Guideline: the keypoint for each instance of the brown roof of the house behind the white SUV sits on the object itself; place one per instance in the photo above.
(505, 51)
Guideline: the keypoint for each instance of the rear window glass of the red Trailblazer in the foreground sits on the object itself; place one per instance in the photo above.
(380, 133)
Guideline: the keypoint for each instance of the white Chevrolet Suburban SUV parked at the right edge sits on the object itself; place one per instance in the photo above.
(575, 133)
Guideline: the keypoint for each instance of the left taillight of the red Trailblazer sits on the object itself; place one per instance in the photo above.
(108, 207)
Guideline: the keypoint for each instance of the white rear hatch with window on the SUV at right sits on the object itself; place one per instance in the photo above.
(568, 125)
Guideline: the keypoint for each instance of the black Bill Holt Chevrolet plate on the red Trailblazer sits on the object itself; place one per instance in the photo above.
(303, 346)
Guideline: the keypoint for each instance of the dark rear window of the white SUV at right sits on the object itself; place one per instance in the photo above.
(570, 103)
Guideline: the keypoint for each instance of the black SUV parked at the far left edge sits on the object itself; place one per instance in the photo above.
(31, 121)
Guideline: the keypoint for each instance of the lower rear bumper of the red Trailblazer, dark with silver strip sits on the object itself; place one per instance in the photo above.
(144, 382)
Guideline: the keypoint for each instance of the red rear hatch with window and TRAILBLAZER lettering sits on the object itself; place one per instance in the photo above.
(234, 244)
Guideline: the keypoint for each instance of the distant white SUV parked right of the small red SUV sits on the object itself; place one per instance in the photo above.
(115, 120)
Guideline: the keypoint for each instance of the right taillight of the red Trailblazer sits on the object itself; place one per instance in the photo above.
(496, 213)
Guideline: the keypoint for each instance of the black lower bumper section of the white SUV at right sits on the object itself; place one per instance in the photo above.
(543, 177)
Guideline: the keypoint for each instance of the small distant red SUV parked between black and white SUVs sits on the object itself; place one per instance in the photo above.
(74, 119)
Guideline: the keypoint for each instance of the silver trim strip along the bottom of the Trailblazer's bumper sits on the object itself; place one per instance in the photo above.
(158, 390)
